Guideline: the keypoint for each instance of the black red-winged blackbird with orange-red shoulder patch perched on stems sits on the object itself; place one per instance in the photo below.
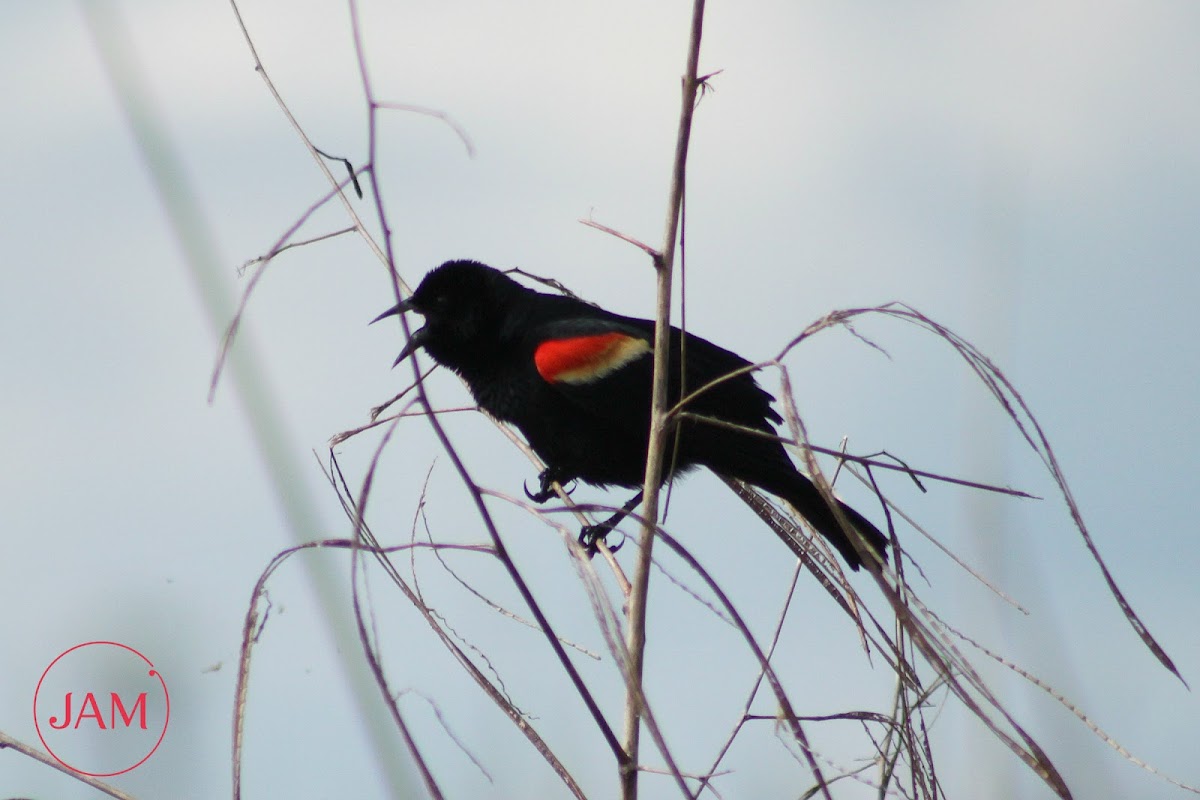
(575, 380)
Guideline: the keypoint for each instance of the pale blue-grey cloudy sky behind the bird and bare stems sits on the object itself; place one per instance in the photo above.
(1028, 175)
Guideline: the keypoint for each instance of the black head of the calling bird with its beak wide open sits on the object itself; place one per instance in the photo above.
(464, 305)
